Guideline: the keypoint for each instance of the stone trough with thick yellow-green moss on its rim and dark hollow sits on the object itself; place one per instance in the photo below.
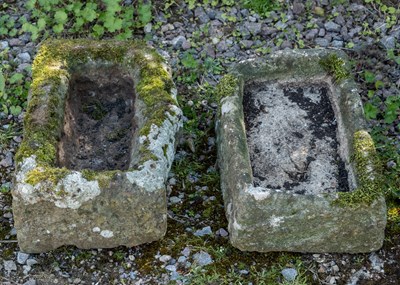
(99, 140)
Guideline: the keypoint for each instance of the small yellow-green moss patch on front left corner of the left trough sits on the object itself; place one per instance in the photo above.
(50, 174)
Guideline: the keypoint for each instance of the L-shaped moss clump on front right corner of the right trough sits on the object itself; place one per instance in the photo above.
(368, 173)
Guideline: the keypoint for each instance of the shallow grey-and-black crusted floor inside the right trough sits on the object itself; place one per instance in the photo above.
(291, 134)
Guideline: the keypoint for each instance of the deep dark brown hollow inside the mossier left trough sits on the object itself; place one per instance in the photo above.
(99, 120)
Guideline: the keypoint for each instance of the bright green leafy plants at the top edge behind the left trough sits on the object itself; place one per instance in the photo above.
(89, 18)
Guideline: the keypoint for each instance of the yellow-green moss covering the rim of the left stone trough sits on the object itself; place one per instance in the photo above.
(53, 63)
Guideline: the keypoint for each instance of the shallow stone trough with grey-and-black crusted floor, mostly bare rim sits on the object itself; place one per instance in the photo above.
(298, 169)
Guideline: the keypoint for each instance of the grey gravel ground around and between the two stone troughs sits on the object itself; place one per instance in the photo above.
(201, 44)
